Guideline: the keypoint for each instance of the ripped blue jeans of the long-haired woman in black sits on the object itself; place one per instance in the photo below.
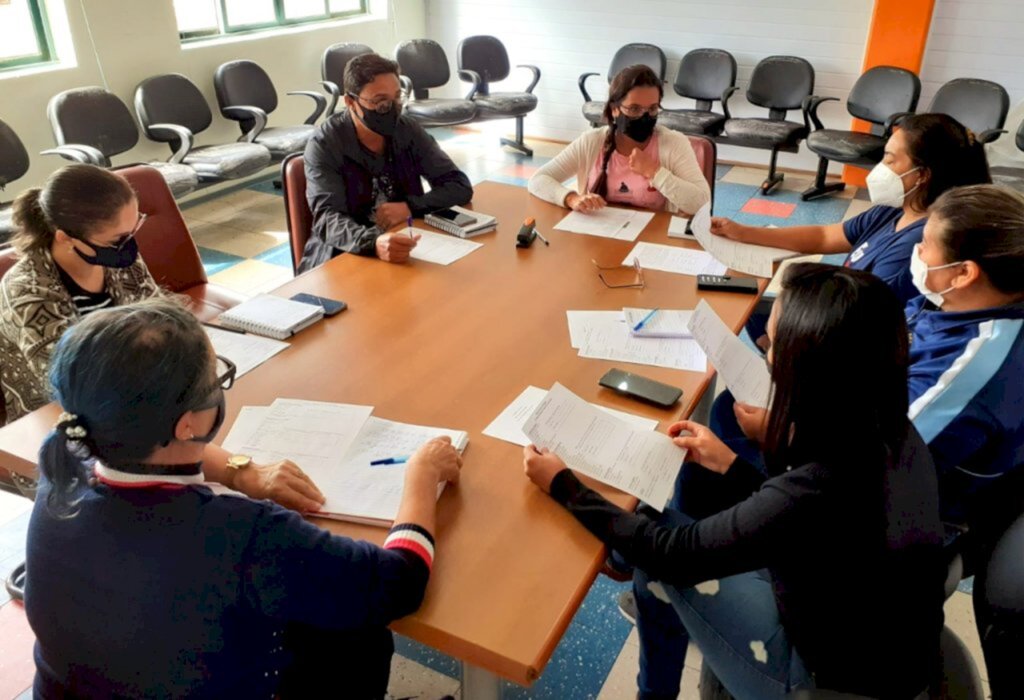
(734, 621)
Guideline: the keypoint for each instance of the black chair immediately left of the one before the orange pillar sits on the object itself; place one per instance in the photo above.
(780, 84)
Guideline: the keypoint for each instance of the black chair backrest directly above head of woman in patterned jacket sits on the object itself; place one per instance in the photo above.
(94, 117)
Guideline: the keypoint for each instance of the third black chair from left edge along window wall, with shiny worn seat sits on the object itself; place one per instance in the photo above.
(173, 111)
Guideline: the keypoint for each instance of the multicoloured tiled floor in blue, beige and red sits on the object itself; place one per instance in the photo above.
(243, 242)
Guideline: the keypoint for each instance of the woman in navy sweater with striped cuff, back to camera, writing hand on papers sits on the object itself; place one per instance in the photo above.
(145, 583)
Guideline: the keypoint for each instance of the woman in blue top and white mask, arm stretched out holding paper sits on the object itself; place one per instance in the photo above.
(926, 156)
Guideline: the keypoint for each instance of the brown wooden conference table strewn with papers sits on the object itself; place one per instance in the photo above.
(452, 346)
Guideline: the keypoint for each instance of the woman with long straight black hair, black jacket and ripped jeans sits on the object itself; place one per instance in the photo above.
(828, 573)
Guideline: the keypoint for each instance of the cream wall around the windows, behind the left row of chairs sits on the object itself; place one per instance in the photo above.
(136, 39)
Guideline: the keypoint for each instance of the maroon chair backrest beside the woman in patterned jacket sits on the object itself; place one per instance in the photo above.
(164, 241)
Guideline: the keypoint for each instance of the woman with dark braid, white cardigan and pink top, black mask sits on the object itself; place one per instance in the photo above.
(633, 161)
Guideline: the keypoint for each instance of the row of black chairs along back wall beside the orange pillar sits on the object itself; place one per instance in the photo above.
(782, 84)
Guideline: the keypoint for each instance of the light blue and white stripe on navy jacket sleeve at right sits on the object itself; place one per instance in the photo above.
(957, 387)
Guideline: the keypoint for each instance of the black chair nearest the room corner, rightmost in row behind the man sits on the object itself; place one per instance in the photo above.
(483, 60)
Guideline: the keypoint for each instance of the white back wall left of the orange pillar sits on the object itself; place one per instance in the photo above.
(570, 37)
